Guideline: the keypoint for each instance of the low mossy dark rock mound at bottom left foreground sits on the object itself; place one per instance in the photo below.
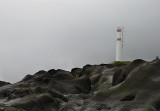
(36, 103)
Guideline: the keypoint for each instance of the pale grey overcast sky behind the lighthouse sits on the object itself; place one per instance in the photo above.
(51, 34)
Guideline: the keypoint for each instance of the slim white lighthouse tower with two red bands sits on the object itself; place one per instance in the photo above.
(119, 44)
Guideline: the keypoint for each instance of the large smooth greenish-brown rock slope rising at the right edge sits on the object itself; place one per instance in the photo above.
(141, 88)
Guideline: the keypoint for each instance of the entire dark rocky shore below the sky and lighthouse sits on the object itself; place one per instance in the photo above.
(106, 87)
